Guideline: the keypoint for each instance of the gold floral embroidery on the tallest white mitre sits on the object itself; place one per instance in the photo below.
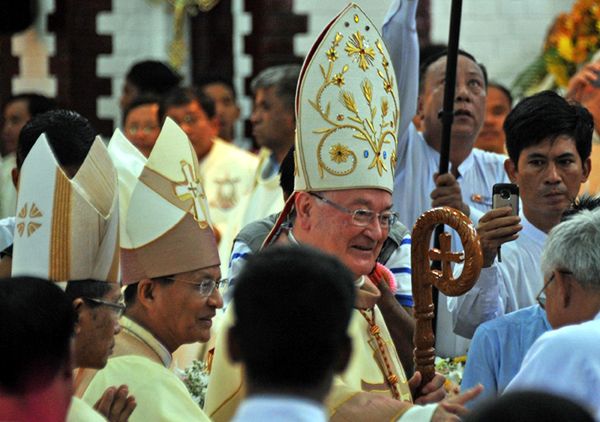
(376, 128)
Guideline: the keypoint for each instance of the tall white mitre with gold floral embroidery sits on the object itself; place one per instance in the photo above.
(346, 109)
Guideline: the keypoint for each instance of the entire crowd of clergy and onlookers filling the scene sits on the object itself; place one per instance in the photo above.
(287, 270)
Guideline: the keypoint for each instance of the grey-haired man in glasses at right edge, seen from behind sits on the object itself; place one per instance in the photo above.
(566, 361)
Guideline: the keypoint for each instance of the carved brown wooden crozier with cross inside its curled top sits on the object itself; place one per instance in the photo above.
(423, 277)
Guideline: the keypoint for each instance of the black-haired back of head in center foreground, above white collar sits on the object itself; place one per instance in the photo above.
(293, 305)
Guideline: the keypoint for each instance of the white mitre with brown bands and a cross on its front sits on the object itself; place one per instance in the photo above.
(165, 227)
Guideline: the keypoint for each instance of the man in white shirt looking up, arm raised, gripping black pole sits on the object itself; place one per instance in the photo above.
(417, 188)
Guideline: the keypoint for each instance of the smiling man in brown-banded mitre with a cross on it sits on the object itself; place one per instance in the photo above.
(170, 267)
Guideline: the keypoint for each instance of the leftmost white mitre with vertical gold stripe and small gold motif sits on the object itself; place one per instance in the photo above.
(67, 229)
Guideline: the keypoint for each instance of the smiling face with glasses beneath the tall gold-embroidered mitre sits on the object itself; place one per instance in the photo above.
(333, 231)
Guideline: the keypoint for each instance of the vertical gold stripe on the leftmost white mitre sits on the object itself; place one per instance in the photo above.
(60, 237)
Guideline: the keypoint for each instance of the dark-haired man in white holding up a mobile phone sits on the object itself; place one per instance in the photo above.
(548, 142)
